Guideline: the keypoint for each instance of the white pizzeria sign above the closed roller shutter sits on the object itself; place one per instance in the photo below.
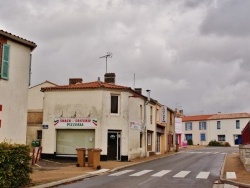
(75, 122)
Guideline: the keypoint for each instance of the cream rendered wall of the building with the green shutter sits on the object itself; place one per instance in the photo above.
(14, 95)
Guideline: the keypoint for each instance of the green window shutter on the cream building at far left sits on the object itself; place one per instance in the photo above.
(5, 62)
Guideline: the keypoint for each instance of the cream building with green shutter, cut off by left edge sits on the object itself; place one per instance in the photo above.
(15, 66)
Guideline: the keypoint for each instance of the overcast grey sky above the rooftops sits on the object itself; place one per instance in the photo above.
(191, 54)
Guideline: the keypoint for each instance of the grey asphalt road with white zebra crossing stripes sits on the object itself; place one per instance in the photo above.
(189, 169)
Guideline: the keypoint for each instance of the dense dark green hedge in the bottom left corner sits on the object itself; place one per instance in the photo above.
(14, 165)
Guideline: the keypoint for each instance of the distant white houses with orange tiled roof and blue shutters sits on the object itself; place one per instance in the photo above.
(202, 129)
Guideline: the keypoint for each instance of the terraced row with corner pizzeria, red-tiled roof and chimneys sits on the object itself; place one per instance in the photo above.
(120, 121)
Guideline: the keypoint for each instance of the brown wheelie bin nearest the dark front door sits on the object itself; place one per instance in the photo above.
(94, 157)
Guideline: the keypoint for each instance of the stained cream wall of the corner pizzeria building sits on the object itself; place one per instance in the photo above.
(95, 103)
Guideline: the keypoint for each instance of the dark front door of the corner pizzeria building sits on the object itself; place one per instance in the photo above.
(114, 145)
